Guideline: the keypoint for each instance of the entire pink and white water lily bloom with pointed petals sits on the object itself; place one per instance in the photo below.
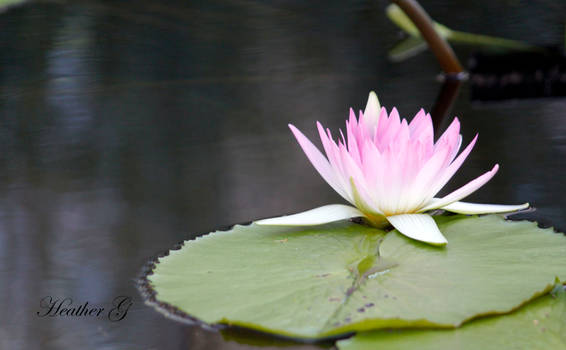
(390, 170)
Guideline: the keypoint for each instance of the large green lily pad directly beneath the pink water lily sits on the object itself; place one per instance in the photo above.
(328, 280)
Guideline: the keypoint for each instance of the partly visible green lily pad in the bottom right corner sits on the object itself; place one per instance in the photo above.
(538, 325)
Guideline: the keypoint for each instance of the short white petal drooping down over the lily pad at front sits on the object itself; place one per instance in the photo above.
(420, 227)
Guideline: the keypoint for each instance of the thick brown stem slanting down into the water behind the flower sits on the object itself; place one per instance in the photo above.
(439, 47)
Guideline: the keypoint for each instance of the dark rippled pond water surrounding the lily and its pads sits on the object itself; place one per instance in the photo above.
(126, 127)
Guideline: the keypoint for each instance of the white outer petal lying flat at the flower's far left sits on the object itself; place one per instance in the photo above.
(316, 216)
